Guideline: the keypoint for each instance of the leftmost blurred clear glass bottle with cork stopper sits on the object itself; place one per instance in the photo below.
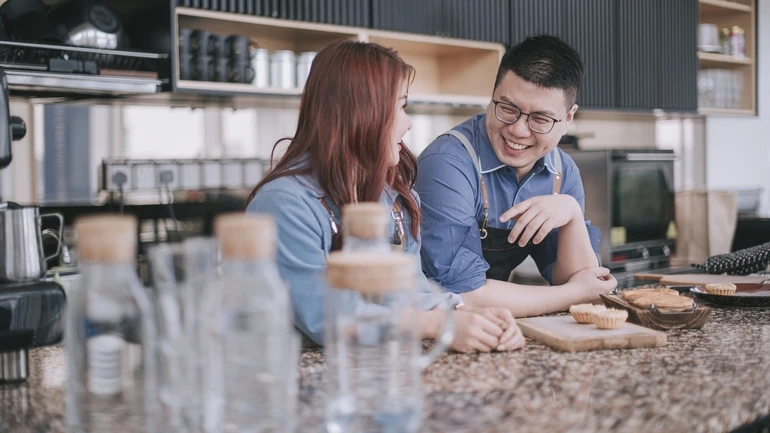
(110, 333)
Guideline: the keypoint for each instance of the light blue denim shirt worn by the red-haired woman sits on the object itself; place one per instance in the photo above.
(304, 242)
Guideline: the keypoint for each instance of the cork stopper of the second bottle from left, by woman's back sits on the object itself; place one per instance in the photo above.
(246, 236)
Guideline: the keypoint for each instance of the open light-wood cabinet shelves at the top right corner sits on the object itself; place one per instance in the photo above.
(727, 83)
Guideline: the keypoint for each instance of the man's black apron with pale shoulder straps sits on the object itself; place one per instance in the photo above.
(502, 256)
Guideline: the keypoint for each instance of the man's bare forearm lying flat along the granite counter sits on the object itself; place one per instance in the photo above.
(524, 301)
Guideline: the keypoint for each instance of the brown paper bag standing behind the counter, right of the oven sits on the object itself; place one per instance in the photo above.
(705, 222)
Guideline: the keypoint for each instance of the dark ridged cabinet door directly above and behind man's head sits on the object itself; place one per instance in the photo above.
(589, 27)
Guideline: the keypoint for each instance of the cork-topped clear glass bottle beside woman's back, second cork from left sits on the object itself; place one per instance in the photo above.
(252, 348)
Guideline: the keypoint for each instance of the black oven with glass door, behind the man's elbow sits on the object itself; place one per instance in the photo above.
(629, 196)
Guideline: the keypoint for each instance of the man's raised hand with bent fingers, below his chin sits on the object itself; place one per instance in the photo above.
(537, 216)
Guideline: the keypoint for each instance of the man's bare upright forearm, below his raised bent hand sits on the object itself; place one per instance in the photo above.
(574, 252)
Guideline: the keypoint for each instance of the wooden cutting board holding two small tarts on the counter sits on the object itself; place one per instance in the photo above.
(564, 334)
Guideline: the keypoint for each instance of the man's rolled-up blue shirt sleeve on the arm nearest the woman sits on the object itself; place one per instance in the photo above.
(451, 246)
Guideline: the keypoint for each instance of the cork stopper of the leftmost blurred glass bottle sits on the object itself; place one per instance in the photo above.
(106, 238)
